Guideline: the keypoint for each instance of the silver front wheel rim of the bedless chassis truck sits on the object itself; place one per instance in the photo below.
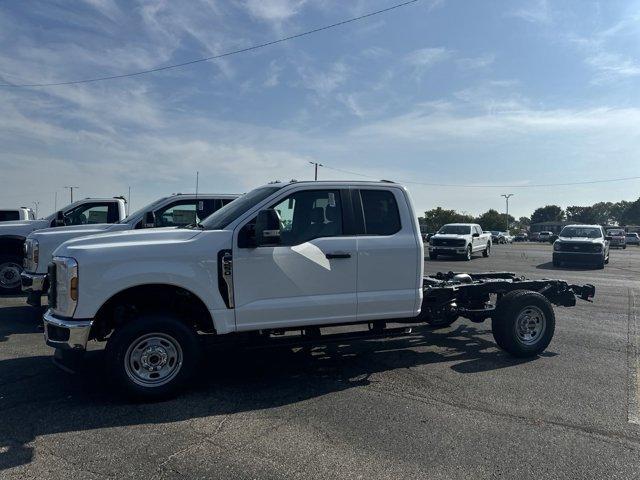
(153, 360)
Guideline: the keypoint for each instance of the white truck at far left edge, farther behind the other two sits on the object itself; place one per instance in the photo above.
(13, 234)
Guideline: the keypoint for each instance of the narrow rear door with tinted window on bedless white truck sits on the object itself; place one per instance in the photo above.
(389, 259)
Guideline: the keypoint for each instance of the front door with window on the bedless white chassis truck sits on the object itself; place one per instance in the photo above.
(310, 277)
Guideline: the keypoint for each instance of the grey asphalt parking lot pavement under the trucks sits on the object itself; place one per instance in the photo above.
(434, 404)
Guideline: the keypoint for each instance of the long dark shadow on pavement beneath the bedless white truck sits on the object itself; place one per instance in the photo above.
(38, 399)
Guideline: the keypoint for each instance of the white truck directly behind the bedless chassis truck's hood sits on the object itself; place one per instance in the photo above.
(173, 211)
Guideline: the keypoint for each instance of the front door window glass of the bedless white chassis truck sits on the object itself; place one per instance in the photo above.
(309, 214)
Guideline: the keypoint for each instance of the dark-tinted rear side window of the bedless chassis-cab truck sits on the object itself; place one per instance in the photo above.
(381, 215)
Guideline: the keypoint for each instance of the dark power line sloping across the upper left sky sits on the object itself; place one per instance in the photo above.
(213, 57)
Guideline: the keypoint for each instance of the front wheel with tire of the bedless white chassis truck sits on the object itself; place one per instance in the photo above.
(152, 356)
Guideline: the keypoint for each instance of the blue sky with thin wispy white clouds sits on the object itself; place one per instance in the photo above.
(482, 93)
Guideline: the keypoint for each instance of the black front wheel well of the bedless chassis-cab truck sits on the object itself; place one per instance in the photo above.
(127, 305)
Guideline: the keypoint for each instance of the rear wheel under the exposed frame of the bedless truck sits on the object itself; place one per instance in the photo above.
(523, 323)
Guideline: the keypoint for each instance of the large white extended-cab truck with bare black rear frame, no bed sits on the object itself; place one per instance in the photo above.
(284, 257)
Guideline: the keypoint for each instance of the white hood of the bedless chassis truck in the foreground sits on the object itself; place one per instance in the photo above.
(129, 238)
